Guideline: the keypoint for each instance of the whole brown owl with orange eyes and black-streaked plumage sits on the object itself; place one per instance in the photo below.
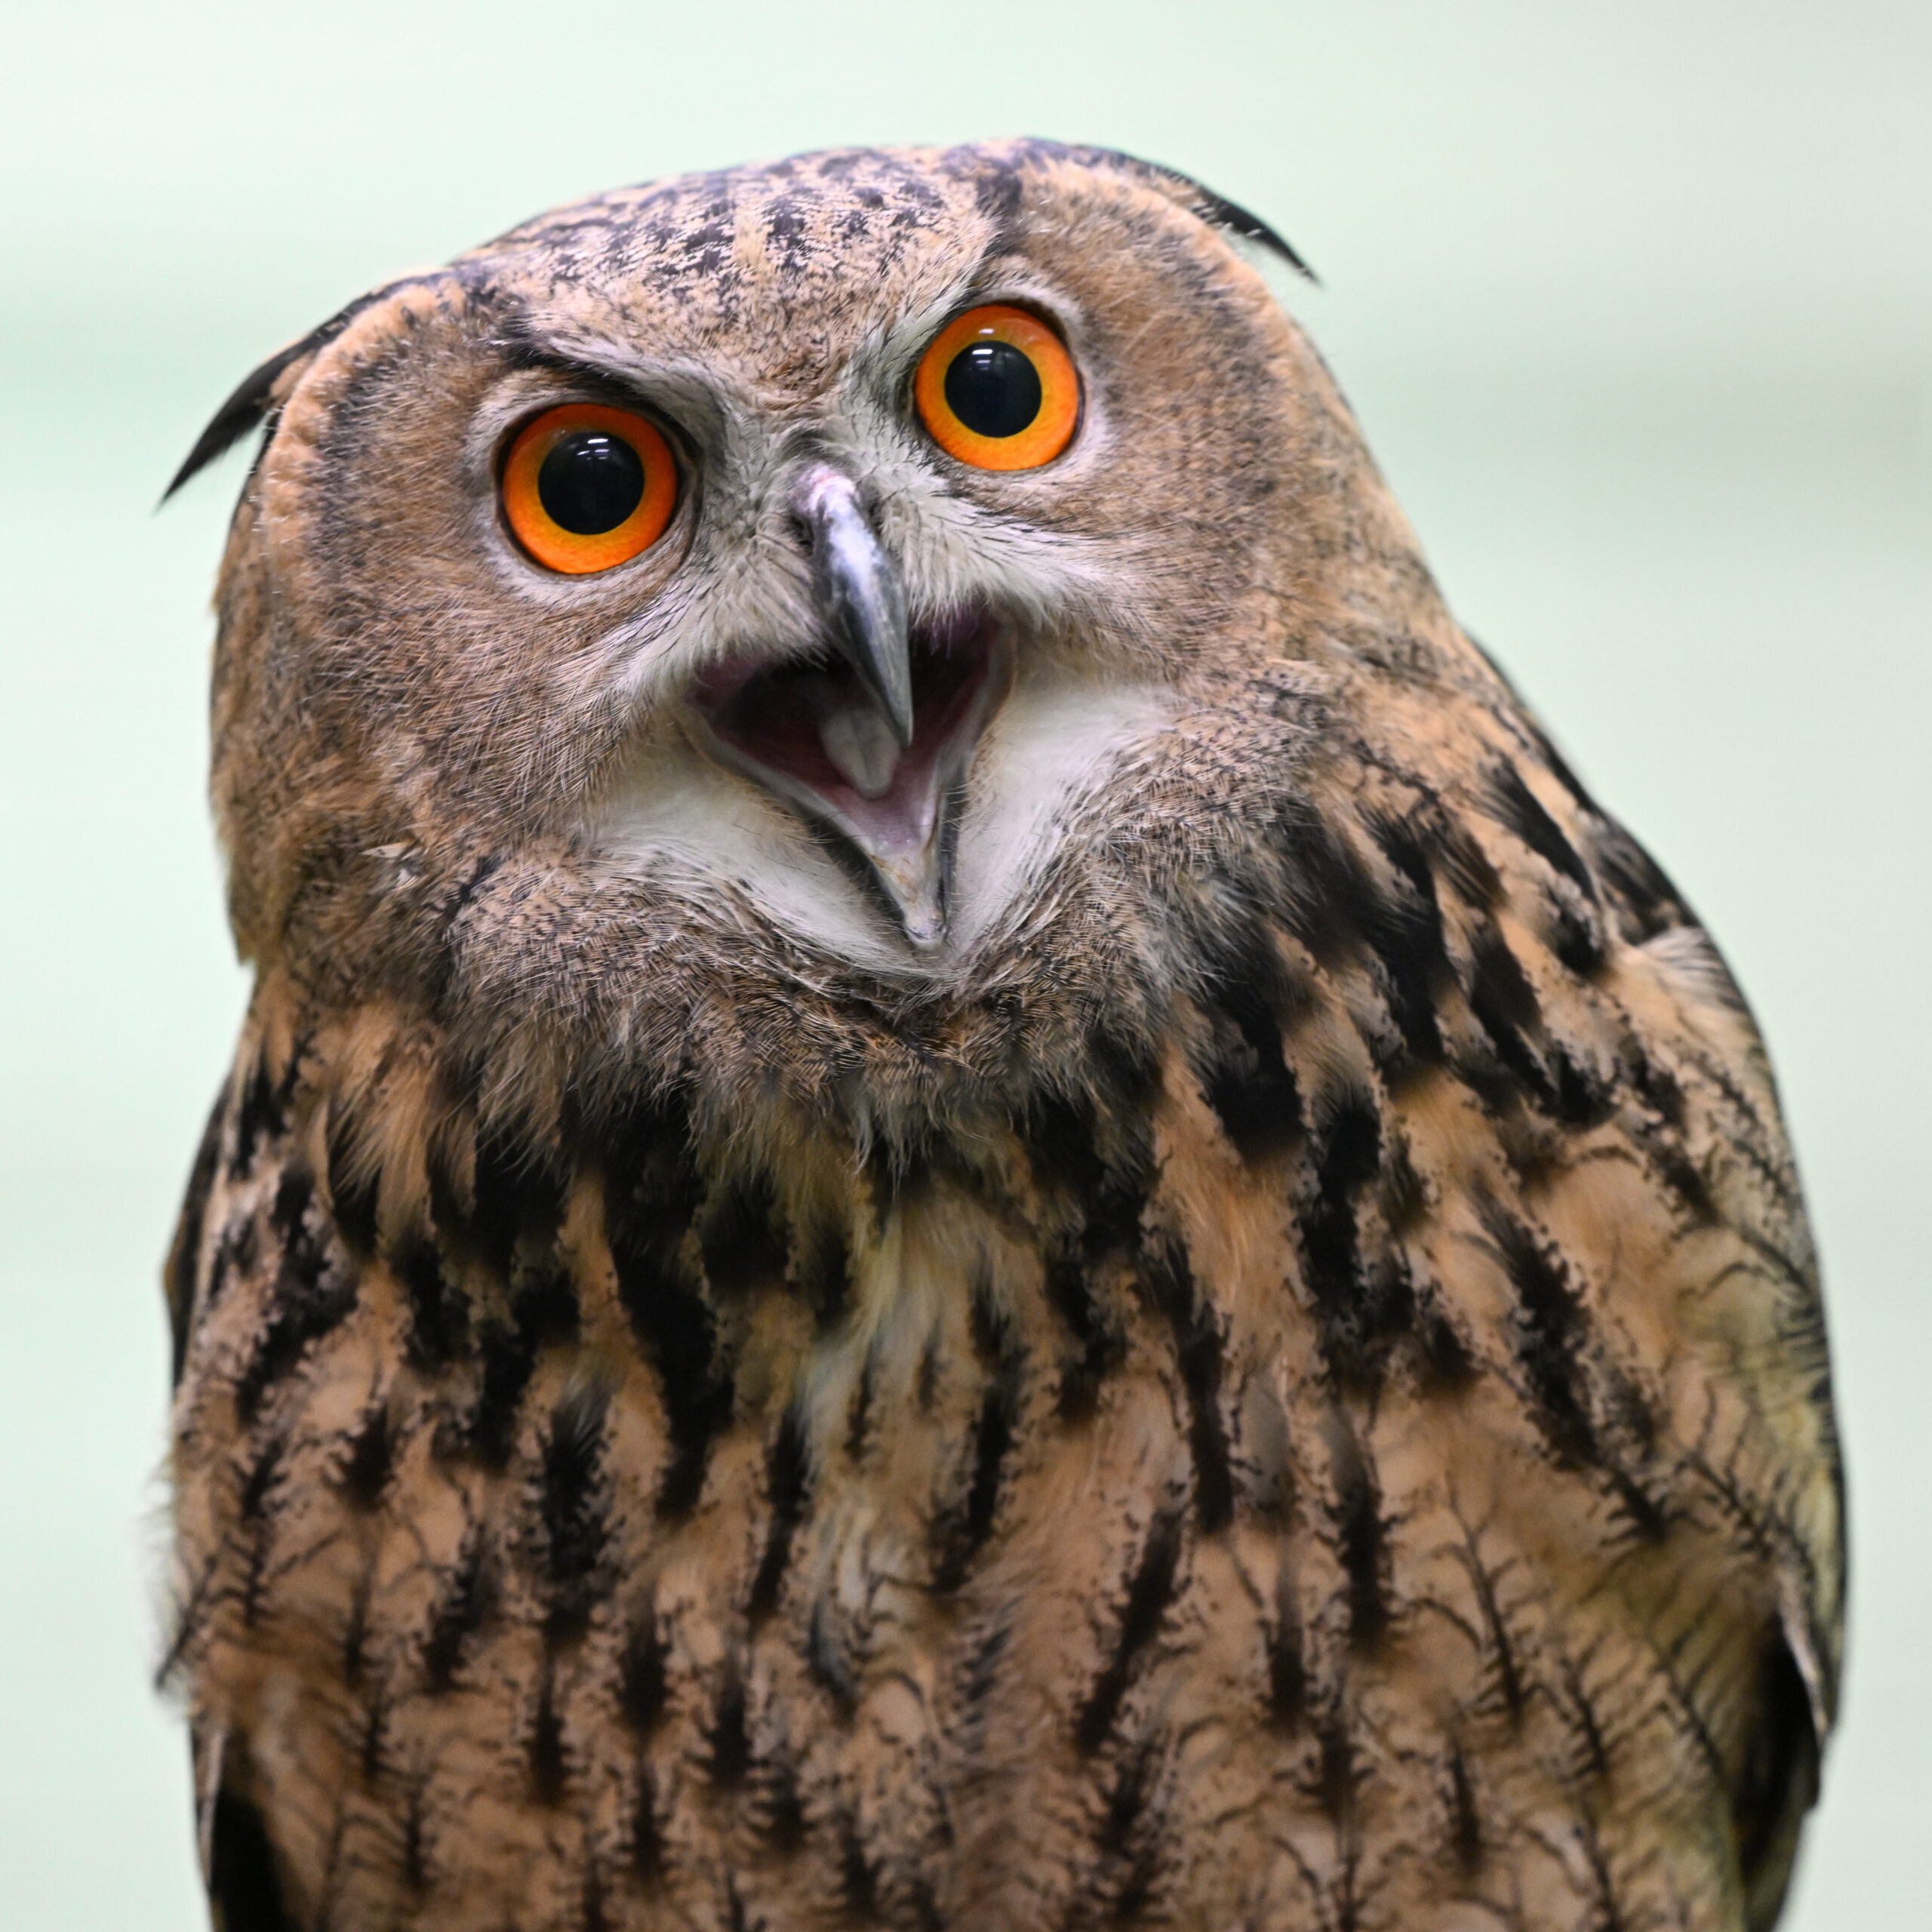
(963, 1191)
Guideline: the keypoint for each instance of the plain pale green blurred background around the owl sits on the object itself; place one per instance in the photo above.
(1634, 298)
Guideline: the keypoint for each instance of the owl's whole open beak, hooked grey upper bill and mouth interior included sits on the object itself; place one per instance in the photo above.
(872, 725)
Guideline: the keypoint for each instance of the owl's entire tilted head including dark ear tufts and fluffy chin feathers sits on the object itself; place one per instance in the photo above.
(838, 584)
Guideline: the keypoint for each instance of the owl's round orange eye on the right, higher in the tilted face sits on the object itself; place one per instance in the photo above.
(998, 389)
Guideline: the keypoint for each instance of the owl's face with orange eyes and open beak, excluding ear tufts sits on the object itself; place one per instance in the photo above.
(803, 542)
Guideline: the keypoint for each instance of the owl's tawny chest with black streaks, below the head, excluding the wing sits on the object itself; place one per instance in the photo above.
(988, 1564)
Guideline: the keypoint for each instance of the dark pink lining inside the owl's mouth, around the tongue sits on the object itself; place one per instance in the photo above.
(772, 716)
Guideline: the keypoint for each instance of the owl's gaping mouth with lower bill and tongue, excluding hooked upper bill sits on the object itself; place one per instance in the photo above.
(812, 731)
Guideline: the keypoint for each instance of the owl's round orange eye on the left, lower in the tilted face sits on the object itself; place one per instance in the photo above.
(588, 488)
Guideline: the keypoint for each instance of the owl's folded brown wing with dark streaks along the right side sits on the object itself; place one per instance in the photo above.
(1608, 1152)
